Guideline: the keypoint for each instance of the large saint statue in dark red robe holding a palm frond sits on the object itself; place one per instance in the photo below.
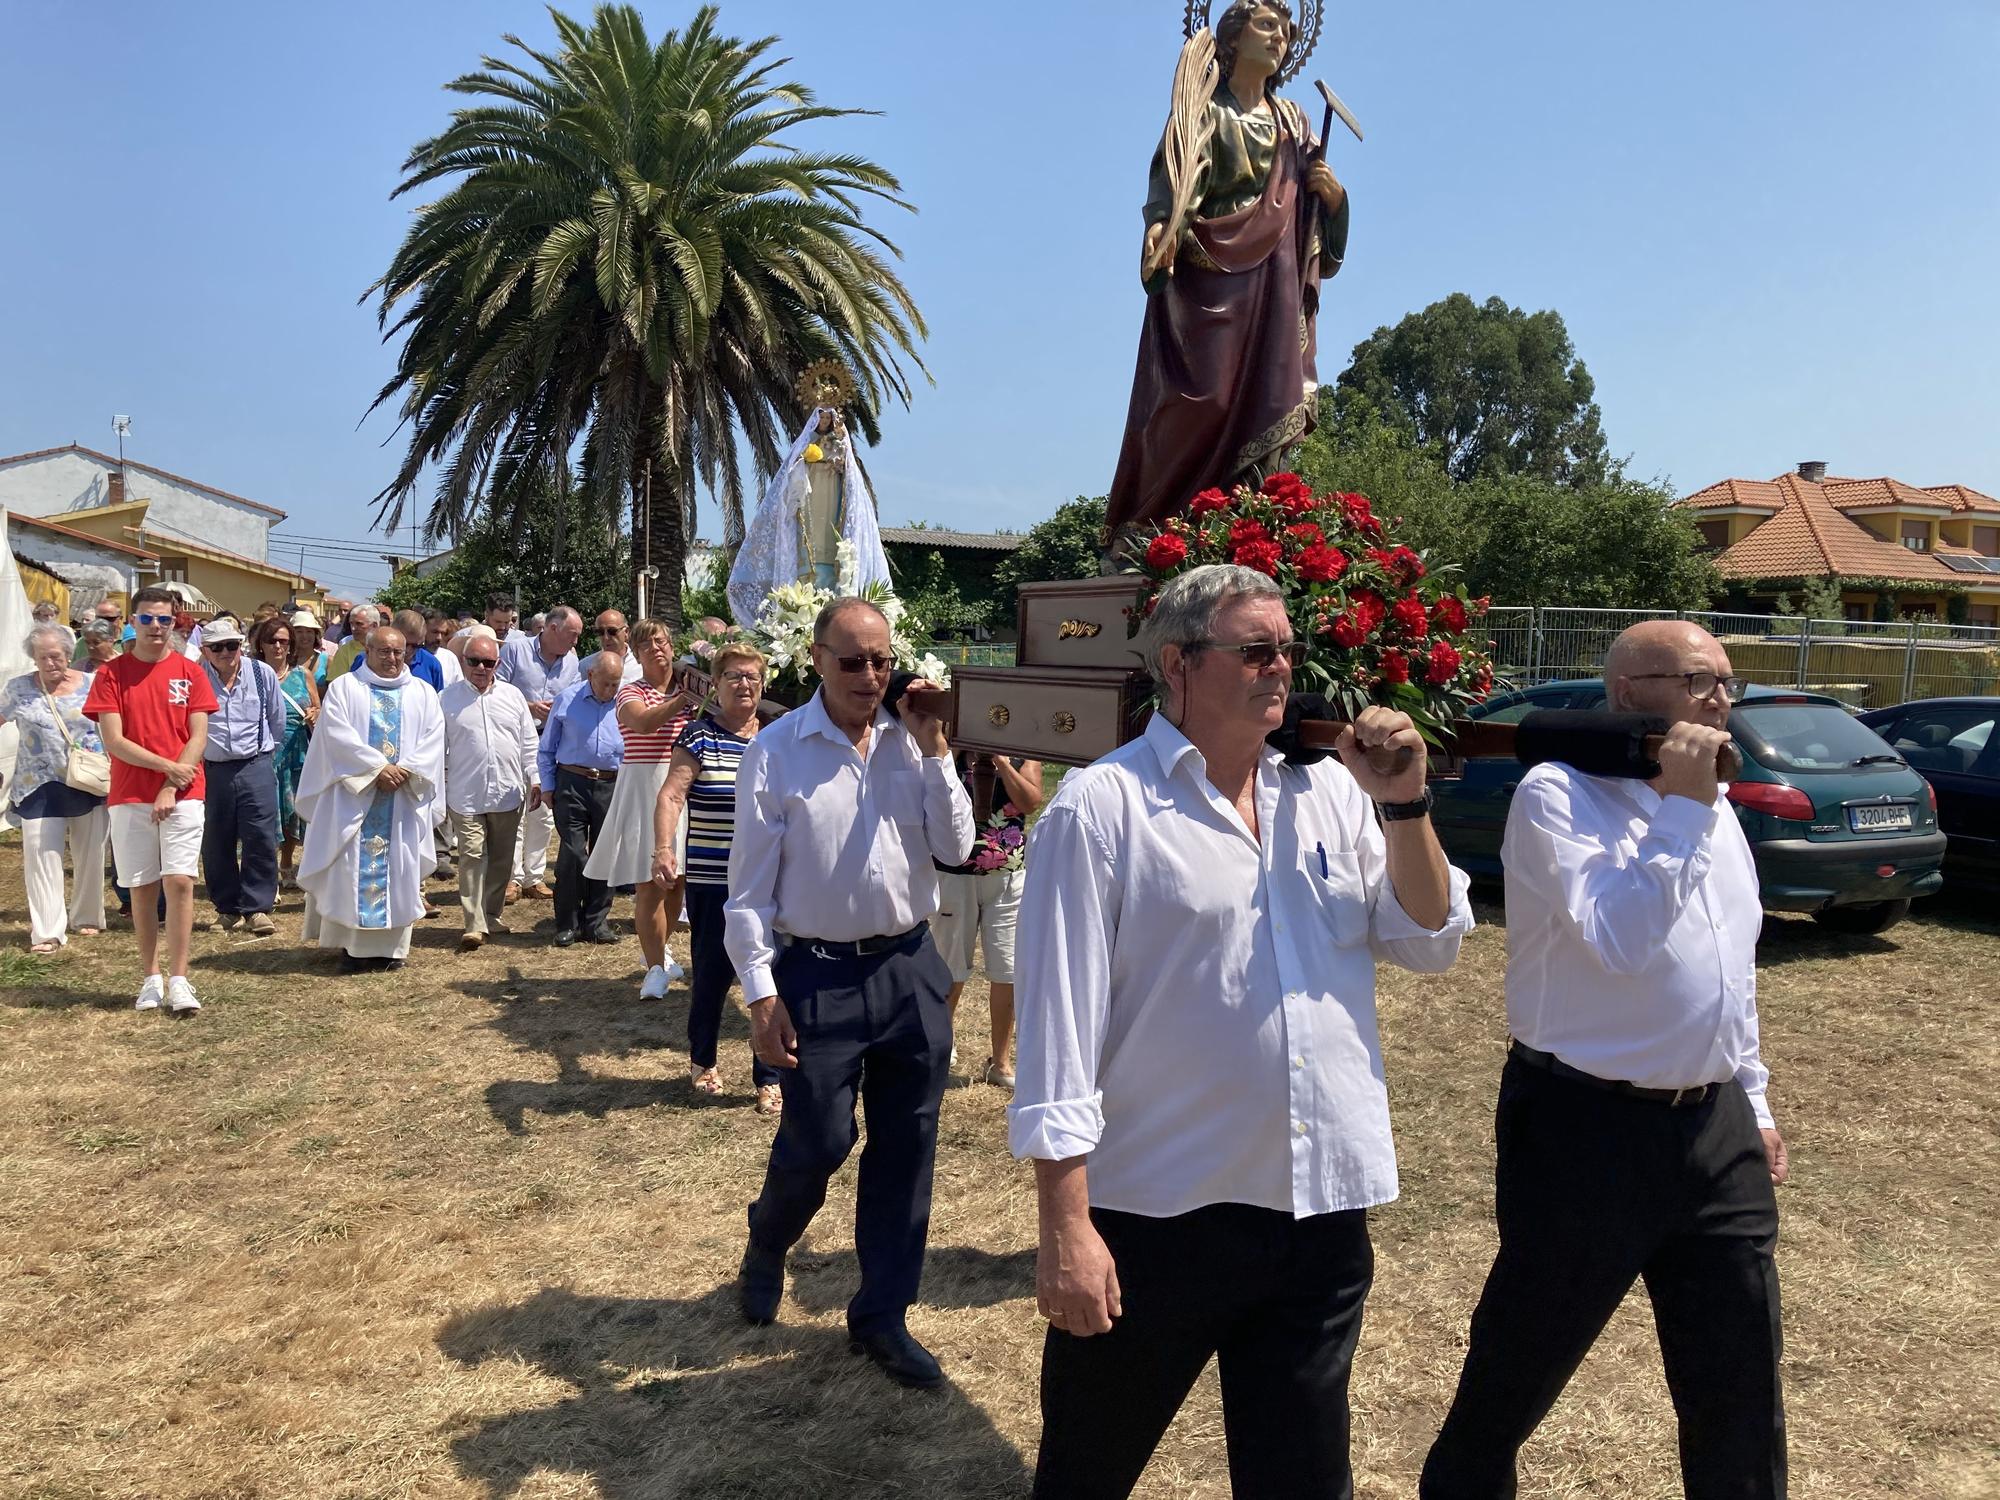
(1243, 223)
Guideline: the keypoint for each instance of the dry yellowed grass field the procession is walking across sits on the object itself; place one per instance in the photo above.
(469, 1233)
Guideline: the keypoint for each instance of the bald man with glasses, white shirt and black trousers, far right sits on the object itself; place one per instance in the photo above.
(1635, 1139)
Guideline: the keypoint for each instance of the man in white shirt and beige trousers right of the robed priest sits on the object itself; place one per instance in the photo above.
(489, 779)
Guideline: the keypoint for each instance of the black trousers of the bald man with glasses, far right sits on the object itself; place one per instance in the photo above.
(1595, 1191)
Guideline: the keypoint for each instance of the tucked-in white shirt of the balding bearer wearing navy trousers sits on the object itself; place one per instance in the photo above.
(831, 845)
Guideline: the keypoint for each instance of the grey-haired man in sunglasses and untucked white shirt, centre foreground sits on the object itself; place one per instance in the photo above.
(1201, 1081)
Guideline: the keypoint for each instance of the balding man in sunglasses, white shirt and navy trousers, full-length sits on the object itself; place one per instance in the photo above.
(841, 811)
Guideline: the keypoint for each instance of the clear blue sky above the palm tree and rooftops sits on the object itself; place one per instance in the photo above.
(1773, 229)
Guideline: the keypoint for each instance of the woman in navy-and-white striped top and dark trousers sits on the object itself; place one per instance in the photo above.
(703, 787)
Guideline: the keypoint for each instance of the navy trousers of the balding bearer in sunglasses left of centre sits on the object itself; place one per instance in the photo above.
(879, 1027)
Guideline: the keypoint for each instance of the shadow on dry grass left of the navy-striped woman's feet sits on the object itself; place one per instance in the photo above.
(579, 1019)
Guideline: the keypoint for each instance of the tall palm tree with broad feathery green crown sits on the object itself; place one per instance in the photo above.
(631, 267)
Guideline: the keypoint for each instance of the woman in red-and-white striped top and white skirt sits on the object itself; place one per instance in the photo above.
(651, 717)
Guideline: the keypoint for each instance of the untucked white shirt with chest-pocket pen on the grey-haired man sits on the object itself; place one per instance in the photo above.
(1197, 1005)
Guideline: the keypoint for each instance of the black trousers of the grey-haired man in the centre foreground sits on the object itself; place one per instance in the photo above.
(1275, 1299)
